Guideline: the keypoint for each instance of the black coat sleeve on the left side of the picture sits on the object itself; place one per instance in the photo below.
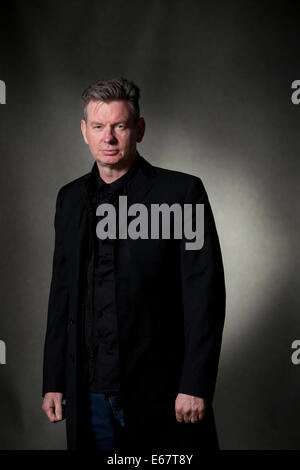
(56, 332)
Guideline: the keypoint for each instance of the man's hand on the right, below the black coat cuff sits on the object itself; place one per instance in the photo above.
(189, 409)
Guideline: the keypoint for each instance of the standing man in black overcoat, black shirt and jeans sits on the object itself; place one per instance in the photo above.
(134, 323)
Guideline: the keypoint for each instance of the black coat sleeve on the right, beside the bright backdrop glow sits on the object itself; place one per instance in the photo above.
(203, 296)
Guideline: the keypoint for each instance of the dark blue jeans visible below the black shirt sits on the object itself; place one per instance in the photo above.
(106, 417)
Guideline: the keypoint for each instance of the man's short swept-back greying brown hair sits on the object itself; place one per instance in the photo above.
(112, 90)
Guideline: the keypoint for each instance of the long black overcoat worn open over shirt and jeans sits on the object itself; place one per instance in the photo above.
(170, 305)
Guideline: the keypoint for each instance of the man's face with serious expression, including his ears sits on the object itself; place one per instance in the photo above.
(111, 133)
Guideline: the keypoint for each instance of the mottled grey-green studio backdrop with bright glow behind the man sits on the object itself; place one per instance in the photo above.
(215, 81)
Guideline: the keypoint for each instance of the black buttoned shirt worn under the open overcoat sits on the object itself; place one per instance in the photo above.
(104, 374)
